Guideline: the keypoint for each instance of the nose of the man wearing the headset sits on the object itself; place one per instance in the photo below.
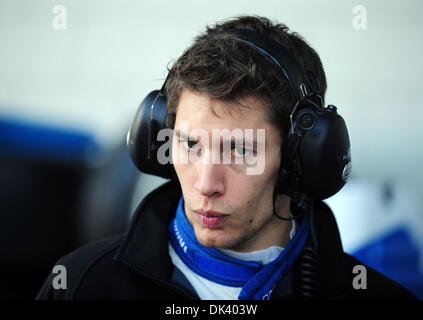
(210, 182)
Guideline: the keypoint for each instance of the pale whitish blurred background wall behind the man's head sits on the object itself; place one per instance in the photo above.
(94, 74)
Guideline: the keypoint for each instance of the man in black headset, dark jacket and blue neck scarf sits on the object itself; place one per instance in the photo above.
(229, 225)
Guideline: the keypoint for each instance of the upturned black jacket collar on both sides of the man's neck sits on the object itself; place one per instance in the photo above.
(145, 246)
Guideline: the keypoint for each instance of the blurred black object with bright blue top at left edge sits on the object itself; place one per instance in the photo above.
(43, 169)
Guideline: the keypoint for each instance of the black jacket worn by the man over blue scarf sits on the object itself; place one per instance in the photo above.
(137, 265)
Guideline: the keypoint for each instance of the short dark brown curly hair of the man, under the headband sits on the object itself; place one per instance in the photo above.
(227, 69)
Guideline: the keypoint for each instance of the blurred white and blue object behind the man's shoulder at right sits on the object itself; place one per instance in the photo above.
(380, 223)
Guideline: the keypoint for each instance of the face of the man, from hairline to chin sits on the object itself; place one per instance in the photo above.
(226, 207)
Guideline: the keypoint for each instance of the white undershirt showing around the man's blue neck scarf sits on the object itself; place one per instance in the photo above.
(209, 290)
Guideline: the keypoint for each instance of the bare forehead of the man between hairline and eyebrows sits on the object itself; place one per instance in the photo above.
(200, 110)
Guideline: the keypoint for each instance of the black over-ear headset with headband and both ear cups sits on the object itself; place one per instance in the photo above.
(316, 158)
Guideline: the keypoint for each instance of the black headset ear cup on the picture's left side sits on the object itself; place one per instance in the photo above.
(142, 142)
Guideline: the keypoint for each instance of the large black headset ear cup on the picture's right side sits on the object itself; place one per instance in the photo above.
(323, 154)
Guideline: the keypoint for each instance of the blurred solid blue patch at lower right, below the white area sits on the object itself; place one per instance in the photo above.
(397, 256)
